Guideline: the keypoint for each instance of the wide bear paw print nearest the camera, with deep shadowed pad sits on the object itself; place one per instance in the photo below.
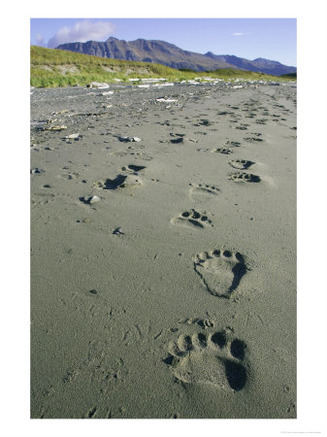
(212, 358)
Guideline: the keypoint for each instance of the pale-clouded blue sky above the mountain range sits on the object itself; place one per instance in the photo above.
(250, 38)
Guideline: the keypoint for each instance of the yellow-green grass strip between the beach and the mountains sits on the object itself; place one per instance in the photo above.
(59, 68)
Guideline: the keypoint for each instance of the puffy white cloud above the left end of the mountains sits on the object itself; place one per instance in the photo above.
(82, 31)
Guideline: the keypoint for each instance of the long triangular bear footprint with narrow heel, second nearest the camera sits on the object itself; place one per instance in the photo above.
(220, 271)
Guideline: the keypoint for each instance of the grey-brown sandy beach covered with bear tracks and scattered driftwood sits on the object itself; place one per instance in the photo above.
(163, 251)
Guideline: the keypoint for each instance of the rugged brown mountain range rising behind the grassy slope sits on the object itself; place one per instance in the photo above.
(162, 52)
